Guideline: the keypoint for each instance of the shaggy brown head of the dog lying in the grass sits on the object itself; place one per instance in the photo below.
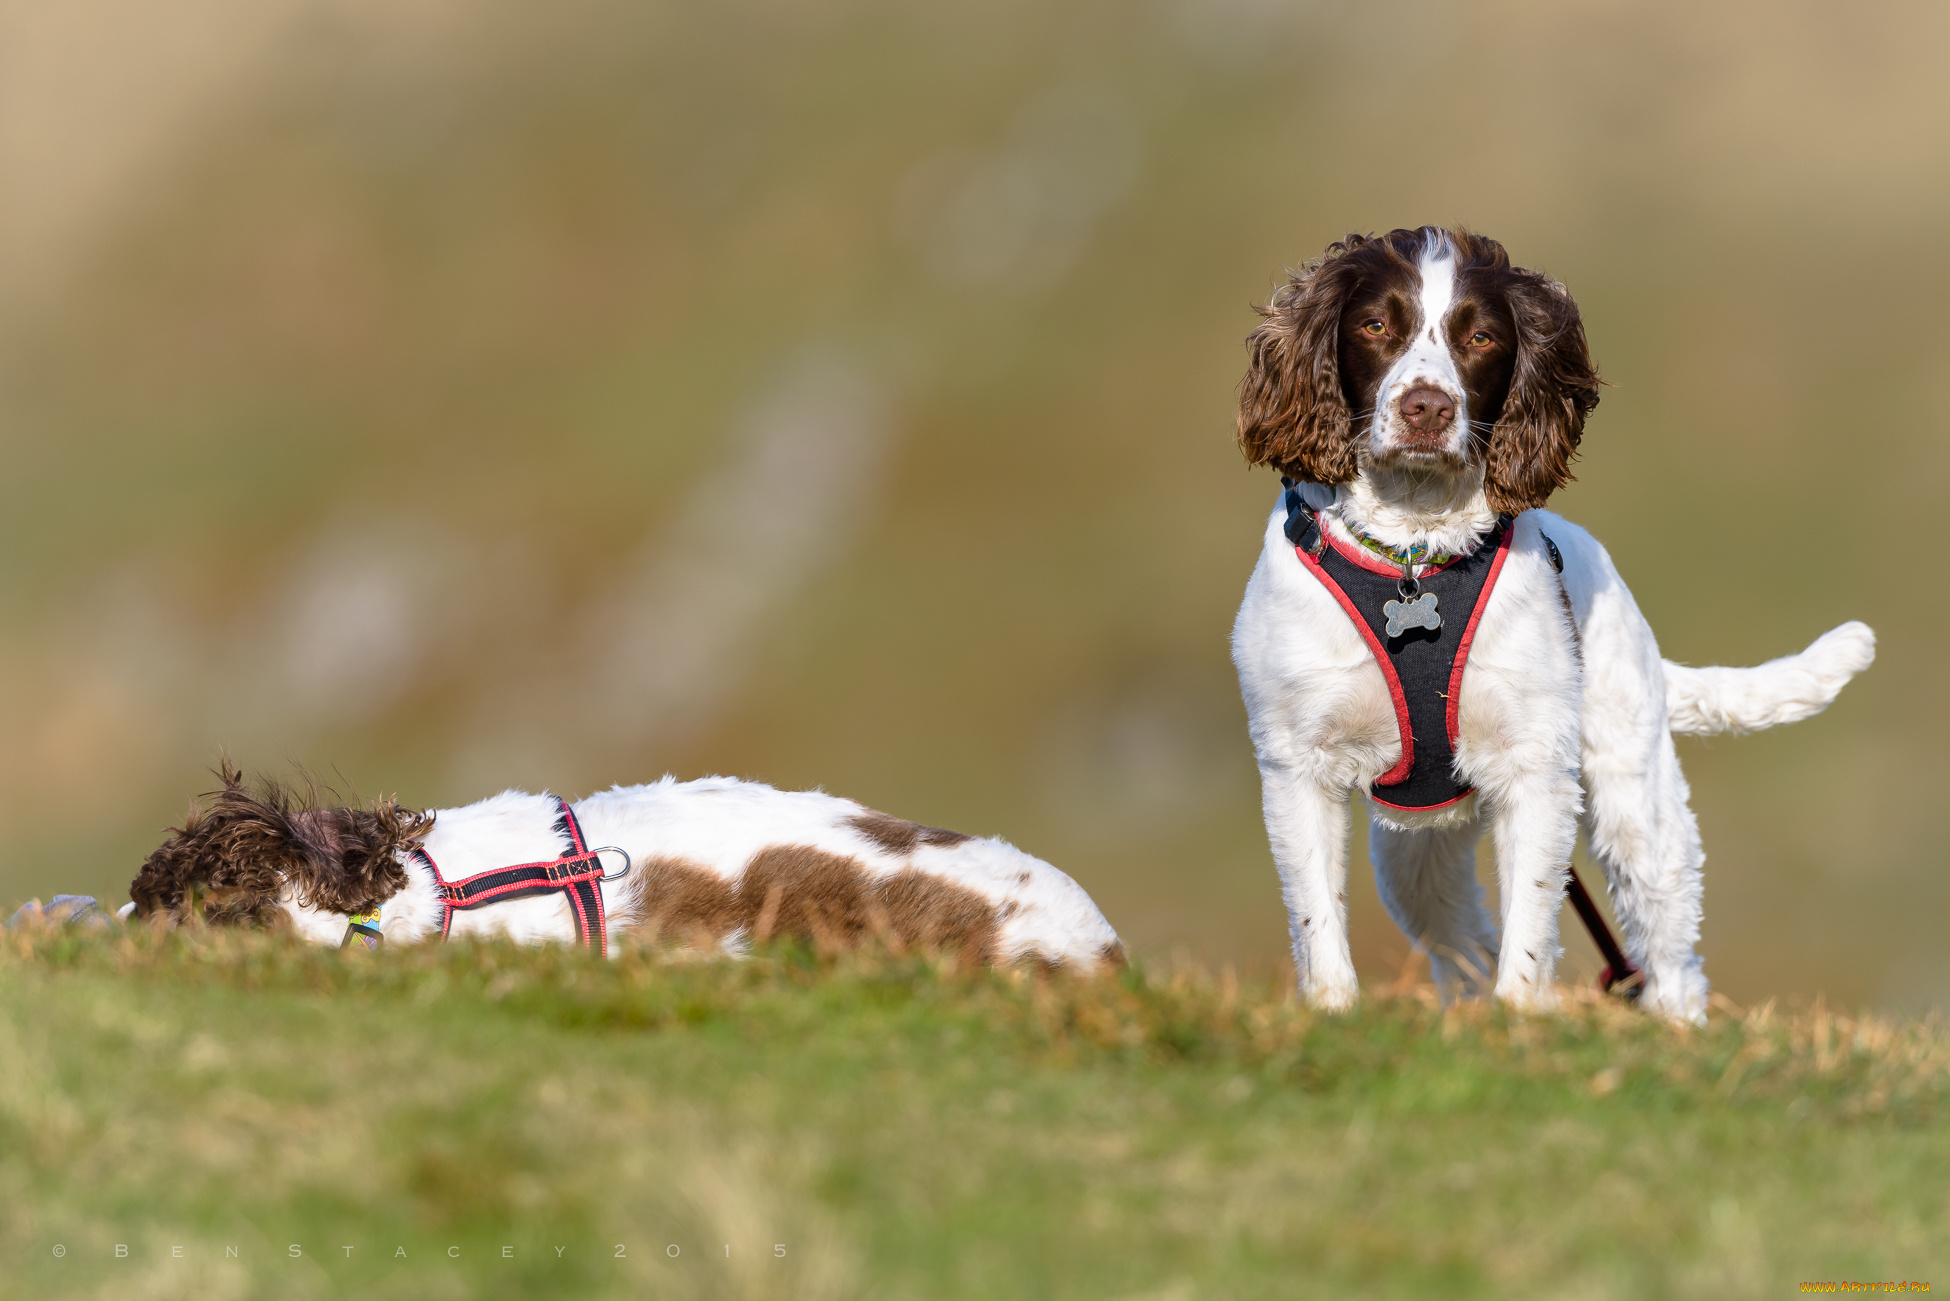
(239, 859)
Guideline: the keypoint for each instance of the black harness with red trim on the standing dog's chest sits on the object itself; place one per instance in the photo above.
(1421, 631)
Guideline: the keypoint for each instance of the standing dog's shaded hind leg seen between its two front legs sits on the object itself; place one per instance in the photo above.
(1428, 885)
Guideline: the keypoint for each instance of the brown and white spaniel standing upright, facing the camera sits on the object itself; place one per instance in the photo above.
(1421, 631)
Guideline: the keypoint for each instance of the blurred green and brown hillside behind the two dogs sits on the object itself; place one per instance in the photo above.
(453, 395)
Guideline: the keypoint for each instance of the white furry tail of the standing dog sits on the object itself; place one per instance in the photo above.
(1779, 691)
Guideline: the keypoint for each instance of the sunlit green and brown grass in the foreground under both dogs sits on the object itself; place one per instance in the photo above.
(496, 1123)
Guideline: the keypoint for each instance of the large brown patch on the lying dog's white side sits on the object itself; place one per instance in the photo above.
(810, 894)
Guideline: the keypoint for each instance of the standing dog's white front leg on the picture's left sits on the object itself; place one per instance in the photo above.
(1307, 826)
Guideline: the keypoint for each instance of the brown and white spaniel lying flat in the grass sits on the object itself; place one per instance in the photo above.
(717, 861)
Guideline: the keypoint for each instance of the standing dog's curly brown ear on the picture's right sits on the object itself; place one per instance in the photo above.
(1551, 393)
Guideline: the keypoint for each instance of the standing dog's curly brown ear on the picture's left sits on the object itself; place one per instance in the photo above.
(1292, 411)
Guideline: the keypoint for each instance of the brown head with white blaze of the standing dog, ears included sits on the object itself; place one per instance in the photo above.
(1421, 350)
